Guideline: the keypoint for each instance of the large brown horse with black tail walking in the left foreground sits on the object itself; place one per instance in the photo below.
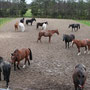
(19, 55)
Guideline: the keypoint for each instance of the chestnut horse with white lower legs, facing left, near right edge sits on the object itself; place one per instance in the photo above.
(80, 43)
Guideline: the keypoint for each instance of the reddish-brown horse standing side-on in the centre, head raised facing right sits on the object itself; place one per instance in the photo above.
(47, 33)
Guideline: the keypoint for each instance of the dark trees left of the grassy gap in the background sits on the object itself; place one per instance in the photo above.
(12, 8)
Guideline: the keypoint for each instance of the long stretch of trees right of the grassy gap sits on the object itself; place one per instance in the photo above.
(69, 9)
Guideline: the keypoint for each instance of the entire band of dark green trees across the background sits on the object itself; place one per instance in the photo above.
(67, 9)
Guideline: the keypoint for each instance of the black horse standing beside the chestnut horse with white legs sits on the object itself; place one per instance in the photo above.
(67, 39)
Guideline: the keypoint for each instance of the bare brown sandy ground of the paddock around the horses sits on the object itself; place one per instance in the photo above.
(52, 65)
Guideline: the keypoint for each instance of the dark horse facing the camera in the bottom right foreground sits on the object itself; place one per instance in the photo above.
(79, 77)
